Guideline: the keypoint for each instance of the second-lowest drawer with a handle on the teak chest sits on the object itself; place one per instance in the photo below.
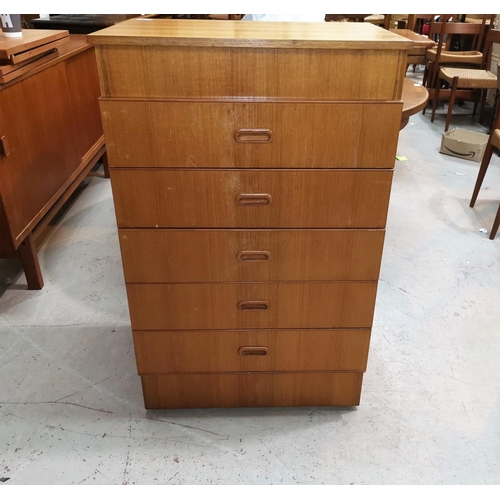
(215, 306)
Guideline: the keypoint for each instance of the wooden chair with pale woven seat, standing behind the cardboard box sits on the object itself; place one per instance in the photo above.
(466, 78)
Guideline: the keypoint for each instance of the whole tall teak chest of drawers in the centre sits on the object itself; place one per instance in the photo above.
(251, 166)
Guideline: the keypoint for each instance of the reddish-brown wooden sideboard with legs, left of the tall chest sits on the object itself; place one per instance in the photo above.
(51, 136)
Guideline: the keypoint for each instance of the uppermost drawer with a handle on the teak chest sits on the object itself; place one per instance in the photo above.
(234, 134)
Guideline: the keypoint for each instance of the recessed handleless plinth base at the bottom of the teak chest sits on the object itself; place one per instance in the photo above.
(211, 390)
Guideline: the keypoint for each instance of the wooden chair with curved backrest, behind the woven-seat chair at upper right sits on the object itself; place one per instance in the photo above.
(442, 55)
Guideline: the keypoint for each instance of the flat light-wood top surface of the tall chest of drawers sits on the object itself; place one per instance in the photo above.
(168, 32)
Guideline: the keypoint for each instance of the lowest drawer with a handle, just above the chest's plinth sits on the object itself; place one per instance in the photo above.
(260, 350)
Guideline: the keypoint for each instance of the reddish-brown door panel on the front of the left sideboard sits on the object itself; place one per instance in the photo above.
(40, 130)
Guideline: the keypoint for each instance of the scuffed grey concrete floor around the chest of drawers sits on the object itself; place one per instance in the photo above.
(71, 404)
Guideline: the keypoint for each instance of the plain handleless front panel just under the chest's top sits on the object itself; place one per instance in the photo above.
(149, 71)
